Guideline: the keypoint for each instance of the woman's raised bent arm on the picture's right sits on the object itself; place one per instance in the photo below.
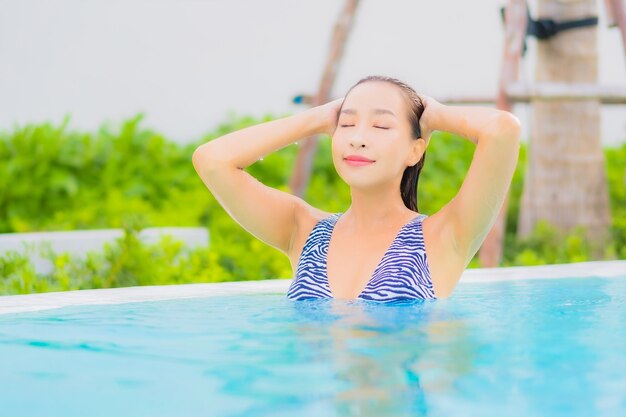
(496, 133)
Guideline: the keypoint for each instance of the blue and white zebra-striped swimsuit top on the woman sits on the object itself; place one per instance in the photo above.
(402, 273)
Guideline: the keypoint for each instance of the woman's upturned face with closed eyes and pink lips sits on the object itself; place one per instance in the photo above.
(374, 124)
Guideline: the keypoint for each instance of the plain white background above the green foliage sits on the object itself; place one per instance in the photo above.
(186, 64)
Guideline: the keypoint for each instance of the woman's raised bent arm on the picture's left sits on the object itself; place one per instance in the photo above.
(267, 213)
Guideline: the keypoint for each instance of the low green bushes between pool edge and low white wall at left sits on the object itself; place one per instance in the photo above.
(126, 262)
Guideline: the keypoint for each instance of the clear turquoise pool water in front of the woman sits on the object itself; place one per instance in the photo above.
(525, 348)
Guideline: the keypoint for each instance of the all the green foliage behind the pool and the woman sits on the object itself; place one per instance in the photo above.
(55, 179)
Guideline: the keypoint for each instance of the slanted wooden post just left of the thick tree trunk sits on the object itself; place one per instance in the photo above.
(515, 22)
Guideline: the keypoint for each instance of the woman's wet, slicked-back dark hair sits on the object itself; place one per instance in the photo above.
(410, 177)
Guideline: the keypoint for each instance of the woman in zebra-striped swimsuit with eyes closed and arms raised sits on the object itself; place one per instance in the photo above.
(379, 249)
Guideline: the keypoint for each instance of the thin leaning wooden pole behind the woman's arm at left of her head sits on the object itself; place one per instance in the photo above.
(306, 152)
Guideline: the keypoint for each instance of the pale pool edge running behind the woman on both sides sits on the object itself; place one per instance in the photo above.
(45, 301)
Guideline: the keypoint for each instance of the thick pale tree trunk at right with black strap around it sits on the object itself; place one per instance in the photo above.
(565, 180)
